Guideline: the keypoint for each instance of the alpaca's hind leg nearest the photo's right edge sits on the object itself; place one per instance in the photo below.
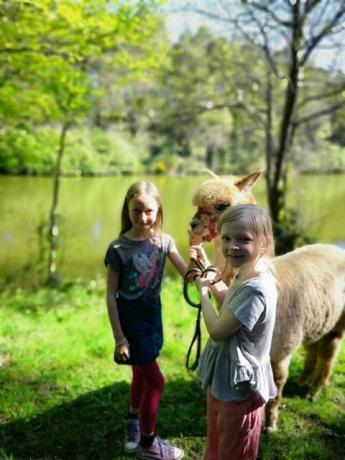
(328, 348)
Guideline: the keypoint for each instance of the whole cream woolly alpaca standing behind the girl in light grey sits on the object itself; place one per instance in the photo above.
(311, 291)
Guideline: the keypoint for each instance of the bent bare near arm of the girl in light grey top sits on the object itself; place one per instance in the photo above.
(219, 326)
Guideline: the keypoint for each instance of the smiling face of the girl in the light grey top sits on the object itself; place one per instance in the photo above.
(239, 243)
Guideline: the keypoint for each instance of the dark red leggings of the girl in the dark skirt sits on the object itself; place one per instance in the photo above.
(146, 389)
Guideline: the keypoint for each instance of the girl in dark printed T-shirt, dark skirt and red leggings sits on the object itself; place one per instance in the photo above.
(135, 262)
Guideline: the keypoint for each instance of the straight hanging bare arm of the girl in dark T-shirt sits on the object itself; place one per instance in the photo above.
(121, 344)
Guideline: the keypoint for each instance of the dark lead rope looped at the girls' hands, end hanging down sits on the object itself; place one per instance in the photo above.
(198, 272)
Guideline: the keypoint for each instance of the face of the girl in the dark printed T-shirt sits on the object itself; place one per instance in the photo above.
(143, 211)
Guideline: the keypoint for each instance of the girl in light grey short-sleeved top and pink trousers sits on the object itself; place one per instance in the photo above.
(235, 365)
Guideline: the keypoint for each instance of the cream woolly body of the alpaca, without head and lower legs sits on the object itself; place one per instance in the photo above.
(311, 296)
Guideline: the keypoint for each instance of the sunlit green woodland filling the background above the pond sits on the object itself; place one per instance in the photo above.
(107, 76)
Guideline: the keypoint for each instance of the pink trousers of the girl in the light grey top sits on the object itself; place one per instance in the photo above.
(233, 428)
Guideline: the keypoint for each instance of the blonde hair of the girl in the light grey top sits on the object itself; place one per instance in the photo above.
(258, 220)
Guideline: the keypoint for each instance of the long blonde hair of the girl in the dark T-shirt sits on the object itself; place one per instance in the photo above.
(135, 190)
